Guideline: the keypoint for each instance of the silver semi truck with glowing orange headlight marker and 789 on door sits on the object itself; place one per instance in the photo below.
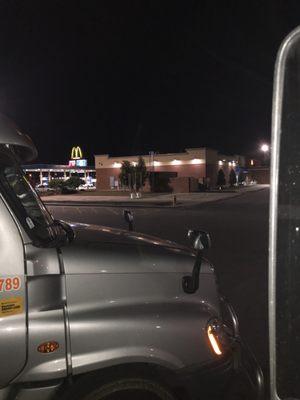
(91, 312)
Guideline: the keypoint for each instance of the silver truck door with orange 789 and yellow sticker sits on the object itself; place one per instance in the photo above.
(13, 329)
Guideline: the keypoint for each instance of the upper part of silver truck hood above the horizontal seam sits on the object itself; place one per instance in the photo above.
(99, 249)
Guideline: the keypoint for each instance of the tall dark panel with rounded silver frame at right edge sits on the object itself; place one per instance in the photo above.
(284, 248)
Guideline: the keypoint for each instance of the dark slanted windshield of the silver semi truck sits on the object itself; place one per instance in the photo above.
(23, 200)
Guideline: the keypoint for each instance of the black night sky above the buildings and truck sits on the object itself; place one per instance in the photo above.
(127, 77)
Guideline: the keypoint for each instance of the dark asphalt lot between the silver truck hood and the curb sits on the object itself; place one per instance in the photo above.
(239, 229)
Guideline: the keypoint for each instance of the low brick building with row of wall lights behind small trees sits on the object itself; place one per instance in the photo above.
(185, 170)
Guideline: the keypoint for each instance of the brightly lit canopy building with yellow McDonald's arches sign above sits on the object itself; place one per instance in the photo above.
(42, 174)
